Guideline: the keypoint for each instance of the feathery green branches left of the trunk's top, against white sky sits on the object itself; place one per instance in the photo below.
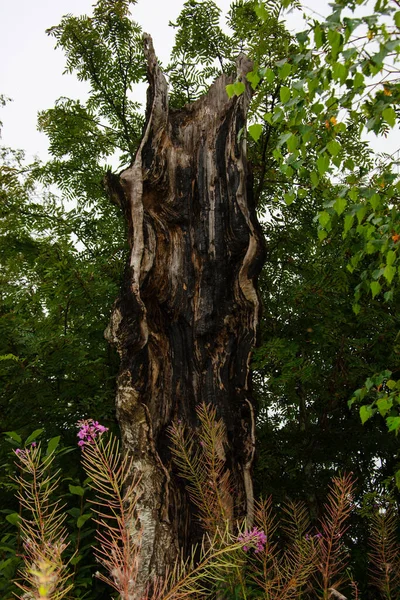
(106, 51)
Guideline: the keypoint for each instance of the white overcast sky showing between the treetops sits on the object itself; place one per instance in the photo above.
(31, 70)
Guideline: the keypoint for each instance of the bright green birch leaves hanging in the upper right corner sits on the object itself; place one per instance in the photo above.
(331, 75)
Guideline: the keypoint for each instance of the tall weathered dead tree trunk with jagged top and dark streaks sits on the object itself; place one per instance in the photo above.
(187, 317)
